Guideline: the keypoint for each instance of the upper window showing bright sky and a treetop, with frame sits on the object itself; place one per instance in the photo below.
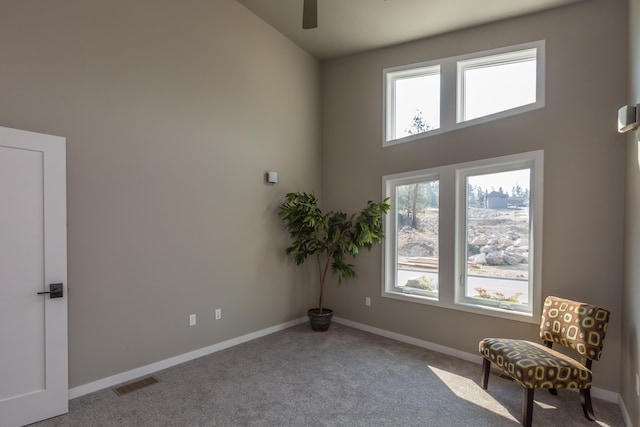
(446, 94)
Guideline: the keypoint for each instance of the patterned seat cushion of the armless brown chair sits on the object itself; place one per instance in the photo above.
(534, 365)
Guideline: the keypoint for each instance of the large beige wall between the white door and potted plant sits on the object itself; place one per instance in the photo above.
(173, 111)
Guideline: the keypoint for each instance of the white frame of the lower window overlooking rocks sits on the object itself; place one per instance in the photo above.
(452, 235)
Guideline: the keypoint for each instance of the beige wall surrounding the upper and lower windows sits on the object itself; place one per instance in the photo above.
(584, 167)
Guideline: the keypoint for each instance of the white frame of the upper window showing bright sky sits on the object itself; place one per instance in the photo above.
(451, 88)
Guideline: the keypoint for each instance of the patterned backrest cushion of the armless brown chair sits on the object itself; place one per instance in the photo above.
(576, 325)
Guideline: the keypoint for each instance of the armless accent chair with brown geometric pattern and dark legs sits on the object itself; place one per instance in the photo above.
(575, 325)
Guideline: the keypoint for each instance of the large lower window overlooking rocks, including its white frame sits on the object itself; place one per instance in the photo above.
(467, 236)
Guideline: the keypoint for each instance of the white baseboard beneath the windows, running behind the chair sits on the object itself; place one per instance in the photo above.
(596, 392)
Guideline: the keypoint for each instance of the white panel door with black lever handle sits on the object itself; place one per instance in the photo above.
(33, 255)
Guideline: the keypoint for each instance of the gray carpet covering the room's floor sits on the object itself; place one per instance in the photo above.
(342, 377)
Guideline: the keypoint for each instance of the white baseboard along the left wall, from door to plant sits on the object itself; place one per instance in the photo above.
(167, 363)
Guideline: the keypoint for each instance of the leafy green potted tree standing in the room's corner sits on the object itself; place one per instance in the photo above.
(332, 238)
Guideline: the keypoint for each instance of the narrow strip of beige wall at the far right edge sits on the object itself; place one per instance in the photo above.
(630, 355)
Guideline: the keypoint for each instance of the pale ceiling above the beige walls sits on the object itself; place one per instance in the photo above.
(350, 26)
